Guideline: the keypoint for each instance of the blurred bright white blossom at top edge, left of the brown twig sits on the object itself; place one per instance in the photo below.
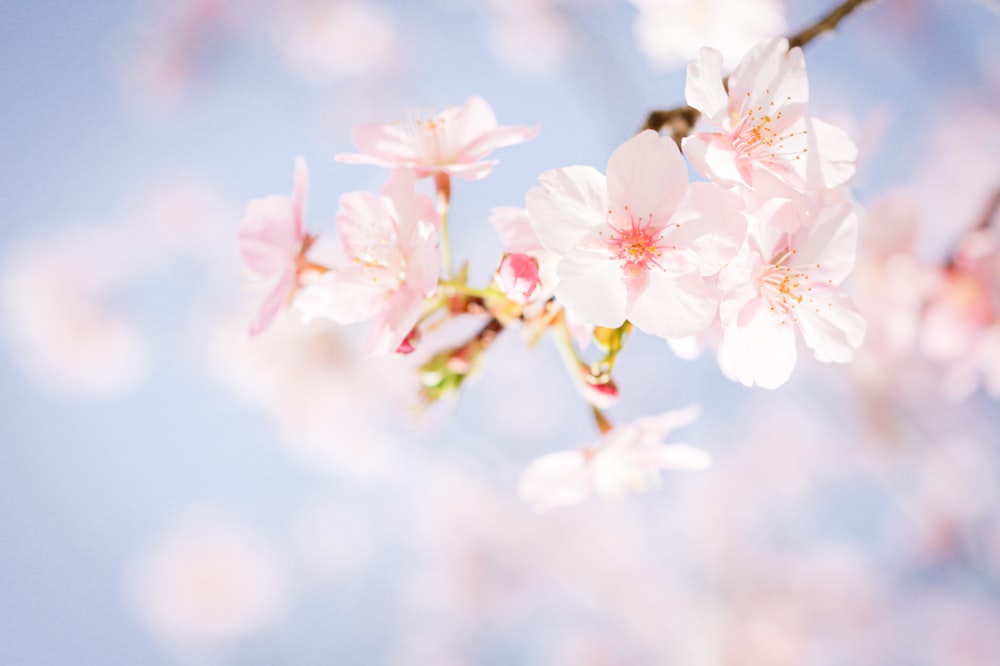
(670, 32)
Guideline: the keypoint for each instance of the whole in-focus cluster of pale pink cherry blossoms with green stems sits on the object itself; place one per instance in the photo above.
(748, 261)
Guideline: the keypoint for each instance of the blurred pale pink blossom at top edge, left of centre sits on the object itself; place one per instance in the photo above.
(325, 42)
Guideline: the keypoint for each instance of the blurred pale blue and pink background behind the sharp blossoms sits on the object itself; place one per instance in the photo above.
(173, 493)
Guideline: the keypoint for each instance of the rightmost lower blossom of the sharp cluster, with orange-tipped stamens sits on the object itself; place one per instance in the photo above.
(785, 282)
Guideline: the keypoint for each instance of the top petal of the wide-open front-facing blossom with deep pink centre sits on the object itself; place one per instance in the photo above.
(647, 176)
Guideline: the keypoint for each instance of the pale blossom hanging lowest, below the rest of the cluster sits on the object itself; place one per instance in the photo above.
(626, 458)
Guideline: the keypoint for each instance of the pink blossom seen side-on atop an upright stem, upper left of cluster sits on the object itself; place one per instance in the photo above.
(453, 142)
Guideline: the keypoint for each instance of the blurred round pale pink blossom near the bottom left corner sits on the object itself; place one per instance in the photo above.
(207, 582)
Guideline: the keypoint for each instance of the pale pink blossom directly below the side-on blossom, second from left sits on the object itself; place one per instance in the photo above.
(393, 262)
